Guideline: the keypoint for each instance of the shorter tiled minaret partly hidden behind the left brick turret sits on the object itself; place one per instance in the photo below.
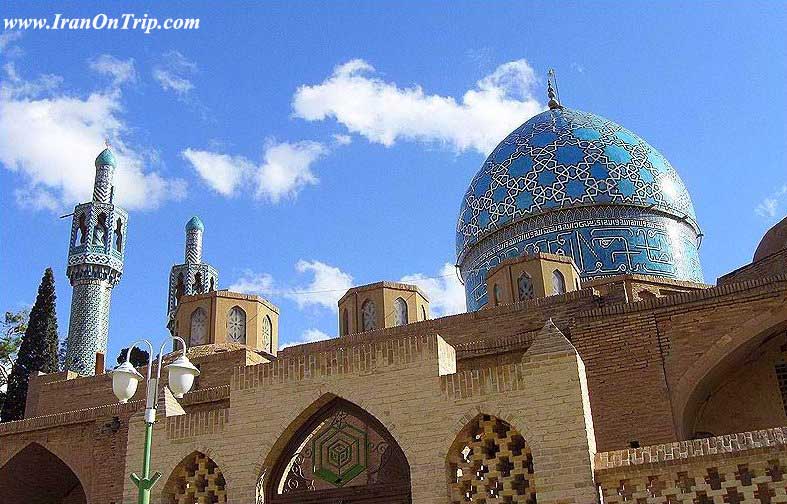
(193, 276)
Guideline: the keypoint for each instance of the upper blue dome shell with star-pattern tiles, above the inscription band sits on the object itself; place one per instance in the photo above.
(565, 158)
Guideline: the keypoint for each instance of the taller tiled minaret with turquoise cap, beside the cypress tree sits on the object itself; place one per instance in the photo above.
(95, 265)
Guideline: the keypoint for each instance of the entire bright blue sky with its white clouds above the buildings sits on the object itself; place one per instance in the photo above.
(328, 144)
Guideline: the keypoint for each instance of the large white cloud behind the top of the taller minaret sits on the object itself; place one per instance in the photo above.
(51, 138)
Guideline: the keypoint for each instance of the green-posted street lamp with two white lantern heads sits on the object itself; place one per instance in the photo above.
(125, 379)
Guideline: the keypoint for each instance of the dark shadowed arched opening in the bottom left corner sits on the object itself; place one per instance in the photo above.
(37, 476)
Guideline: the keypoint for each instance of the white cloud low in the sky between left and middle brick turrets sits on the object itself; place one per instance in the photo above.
(328, 284)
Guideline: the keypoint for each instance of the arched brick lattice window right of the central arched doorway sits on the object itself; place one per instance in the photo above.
(489, 459)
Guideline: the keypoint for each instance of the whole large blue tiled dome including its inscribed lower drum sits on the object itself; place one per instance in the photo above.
(574, 183)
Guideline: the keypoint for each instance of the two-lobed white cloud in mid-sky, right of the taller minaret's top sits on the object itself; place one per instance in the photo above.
(285, 169)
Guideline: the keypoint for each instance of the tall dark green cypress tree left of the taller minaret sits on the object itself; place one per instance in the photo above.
(38, 351)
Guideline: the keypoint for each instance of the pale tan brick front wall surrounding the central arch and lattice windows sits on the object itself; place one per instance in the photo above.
(541, 397)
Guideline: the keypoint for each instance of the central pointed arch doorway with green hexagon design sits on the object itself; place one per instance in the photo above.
(342, 454)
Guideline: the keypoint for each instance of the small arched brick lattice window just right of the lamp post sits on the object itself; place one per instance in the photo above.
(197, 478)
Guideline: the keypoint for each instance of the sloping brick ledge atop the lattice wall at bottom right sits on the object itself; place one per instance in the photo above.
(682, 451)
